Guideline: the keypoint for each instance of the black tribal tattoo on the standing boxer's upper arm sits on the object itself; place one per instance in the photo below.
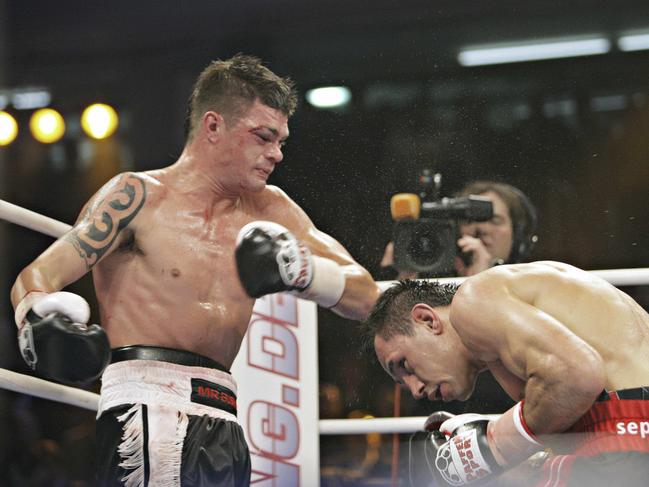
(107, 217)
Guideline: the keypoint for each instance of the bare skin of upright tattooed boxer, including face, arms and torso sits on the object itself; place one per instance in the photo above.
(161, 243)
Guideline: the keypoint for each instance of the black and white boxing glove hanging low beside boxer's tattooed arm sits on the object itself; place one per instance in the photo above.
(55, 340)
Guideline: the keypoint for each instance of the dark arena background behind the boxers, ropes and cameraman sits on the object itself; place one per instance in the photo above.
(573, 134)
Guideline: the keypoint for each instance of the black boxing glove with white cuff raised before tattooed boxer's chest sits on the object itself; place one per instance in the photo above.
(270, 260)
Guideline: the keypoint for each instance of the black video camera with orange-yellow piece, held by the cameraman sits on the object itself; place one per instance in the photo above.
(429, 244)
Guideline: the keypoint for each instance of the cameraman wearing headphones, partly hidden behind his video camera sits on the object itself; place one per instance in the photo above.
(508, 237)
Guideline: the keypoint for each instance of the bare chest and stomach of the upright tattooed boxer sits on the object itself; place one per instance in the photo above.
(176, 278)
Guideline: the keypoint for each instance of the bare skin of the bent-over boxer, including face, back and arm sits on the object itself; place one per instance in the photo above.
(550, 333)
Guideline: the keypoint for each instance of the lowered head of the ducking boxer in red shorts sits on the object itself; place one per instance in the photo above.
(416, 344)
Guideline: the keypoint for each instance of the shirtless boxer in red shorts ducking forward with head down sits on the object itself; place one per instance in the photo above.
(570, 347)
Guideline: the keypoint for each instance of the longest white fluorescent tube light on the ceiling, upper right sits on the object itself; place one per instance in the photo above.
(533, 51)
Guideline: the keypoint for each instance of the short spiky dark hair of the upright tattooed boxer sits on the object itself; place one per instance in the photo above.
(231, 86)
